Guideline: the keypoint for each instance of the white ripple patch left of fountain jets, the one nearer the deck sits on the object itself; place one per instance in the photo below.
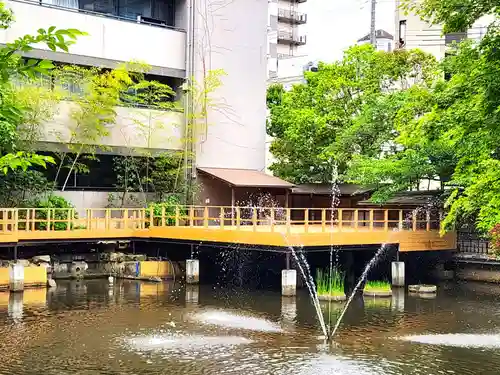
(236, 321)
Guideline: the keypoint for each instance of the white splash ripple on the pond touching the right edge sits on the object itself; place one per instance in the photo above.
(463, 340)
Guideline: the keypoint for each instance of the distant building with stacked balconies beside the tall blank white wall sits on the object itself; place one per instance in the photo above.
(286, 36)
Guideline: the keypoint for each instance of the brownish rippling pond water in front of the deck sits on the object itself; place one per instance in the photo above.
(91, 327)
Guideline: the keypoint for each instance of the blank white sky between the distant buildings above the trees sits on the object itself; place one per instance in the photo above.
(334, 25)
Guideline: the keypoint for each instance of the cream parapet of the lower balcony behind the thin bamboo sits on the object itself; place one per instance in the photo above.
(137, 128)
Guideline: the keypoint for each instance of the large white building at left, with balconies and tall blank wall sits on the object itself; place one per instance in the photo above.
(179, 39)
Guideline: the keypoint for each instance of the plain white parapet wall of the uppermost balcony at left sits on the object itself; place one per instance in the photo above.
(108, 38)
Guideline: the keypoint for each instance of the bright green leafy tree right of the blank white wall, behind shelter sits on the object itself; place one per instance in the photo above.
(325, 119)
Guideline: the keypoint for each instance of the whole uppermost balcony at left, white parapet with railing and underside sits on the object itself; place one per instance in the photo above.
(111, 37)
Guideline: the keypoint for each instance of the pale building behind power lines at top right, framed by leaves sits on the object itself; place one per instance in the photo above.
(413, 32)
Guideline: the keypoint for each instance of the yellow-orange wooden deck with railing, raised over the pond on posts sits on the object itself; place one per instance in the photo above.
(264, 226)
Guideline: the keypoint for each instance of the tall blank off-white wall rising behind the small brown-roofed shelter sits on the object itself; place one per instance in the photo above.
(233, 36)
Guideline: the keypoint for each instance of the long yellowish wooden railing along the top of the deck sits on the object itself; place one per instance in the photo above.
(221, 217)
